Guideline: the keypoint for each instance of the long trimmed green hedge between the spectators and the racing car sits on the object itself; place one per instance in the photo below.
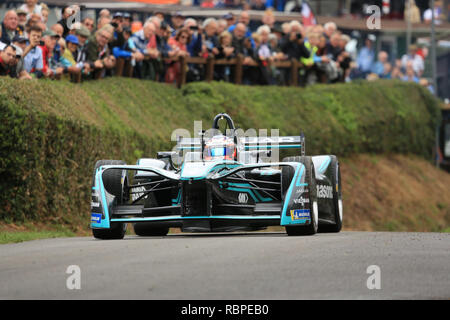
(51, 133)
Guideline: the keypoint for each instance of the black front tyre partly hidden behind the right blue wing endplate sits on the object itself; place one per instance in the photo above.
(287, 174)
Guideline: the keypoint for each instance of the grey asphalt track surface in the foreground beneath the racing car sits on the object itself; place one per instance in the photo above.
(231, 266)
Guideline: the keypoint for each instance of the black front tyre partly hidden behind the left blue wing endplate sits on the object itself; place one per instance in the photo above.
(112, 181)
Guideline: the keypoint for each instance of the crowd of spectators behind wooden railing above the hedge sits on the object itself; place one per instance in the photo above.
(91, 47)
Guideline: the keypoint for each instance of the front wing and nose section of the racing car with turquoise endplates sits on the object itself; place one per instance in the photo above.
(230, 194)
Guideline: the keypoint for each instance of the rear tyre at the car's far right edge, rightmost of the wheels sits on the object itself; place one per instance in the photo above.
(337, 198)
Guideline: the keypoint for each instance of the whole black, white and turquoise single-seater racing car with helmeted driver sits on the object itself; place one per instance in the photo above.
(217, 183)
